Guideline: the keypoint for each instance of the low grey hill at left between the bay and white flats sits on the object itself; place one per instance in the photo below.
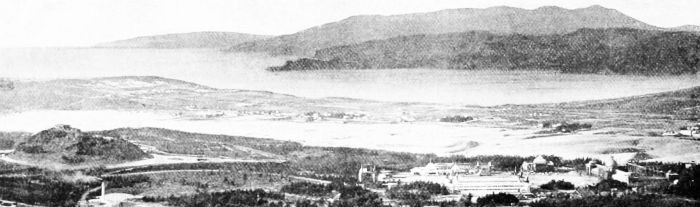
(132, 93)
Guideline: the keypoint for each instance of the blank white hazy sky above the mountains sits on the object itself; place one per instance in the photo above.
(86, 22)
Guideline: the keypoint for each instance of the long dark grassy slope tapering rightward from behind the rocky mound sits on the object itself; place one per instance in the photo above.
(324, 160)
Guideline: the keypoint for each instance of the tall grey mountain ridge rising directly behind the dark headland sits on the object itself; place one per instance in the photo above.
(500, 20)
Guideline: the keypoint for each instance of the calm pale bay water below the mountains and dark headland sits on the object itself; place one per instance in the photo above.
(246, 71)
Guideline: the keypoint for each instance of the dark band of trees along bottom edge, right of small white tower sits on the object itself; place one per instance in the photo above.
(256, 197)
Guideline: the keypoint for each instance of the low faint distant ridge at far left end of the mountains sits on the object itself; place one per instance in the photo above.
(185, 40)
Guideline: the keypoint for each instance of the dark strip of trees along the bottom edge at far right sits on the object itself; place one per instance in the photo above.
(644, 200)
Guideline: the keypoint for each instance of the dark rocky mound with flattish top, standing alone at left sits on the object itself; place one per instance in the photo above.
(70, 145)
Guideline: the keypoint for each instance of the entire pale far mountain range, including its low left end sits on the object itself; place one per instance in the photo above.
(502, 20)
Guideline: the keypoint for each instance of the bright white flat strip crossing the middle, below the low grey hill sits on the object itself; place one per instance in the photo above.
(480, 137)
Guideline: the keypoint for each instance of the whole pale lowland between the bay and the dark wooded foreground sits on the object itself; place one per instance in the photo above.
(619, 126)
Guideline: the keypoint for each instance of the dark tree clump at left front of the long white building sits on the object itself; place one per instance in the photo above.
(416, 191)
